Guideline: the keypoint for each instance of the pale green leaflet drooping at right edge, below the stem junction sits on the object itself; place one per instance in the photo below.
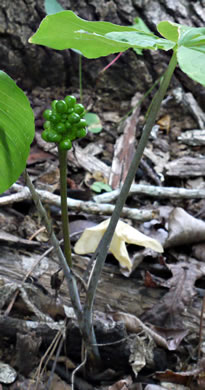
(192, 62)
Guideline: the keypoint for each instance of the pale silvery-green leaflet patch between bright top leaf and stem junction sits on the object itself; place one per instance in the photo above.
(141, 40)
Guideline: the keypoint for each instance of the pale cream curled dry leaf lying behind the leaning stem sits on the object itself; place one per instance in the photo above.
(124, 233)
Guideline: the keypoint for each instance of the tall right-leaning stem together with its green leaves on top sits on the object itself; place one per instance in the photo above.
(65, 30)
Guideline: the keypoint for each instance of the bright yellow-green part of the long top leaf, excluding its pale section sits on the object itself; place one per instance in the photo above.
(65, 30)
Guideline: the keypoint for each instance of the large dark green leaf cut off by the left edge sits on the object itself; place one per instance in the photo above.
(16, 131)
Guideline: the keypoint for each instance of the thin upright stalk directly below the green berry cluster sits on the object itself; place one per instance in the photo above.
(62, 154)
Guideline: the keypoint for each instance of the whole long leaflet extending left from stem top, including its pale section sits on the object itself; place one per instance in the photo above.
(65, 30)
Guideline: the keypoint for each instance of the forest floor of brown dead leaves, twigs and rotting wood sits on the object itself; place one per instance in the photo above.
(148, 319)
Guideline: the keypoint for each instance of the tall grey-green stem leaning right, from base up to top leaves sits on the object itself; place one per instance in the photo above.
(103, 247)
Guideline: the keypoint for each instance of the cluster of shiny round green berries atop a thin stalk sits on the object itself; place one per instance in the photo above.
(64, 122)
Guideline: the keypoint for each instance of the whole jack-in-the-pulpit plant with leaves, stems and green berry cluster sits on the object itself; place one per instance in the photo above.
(65, 30)
